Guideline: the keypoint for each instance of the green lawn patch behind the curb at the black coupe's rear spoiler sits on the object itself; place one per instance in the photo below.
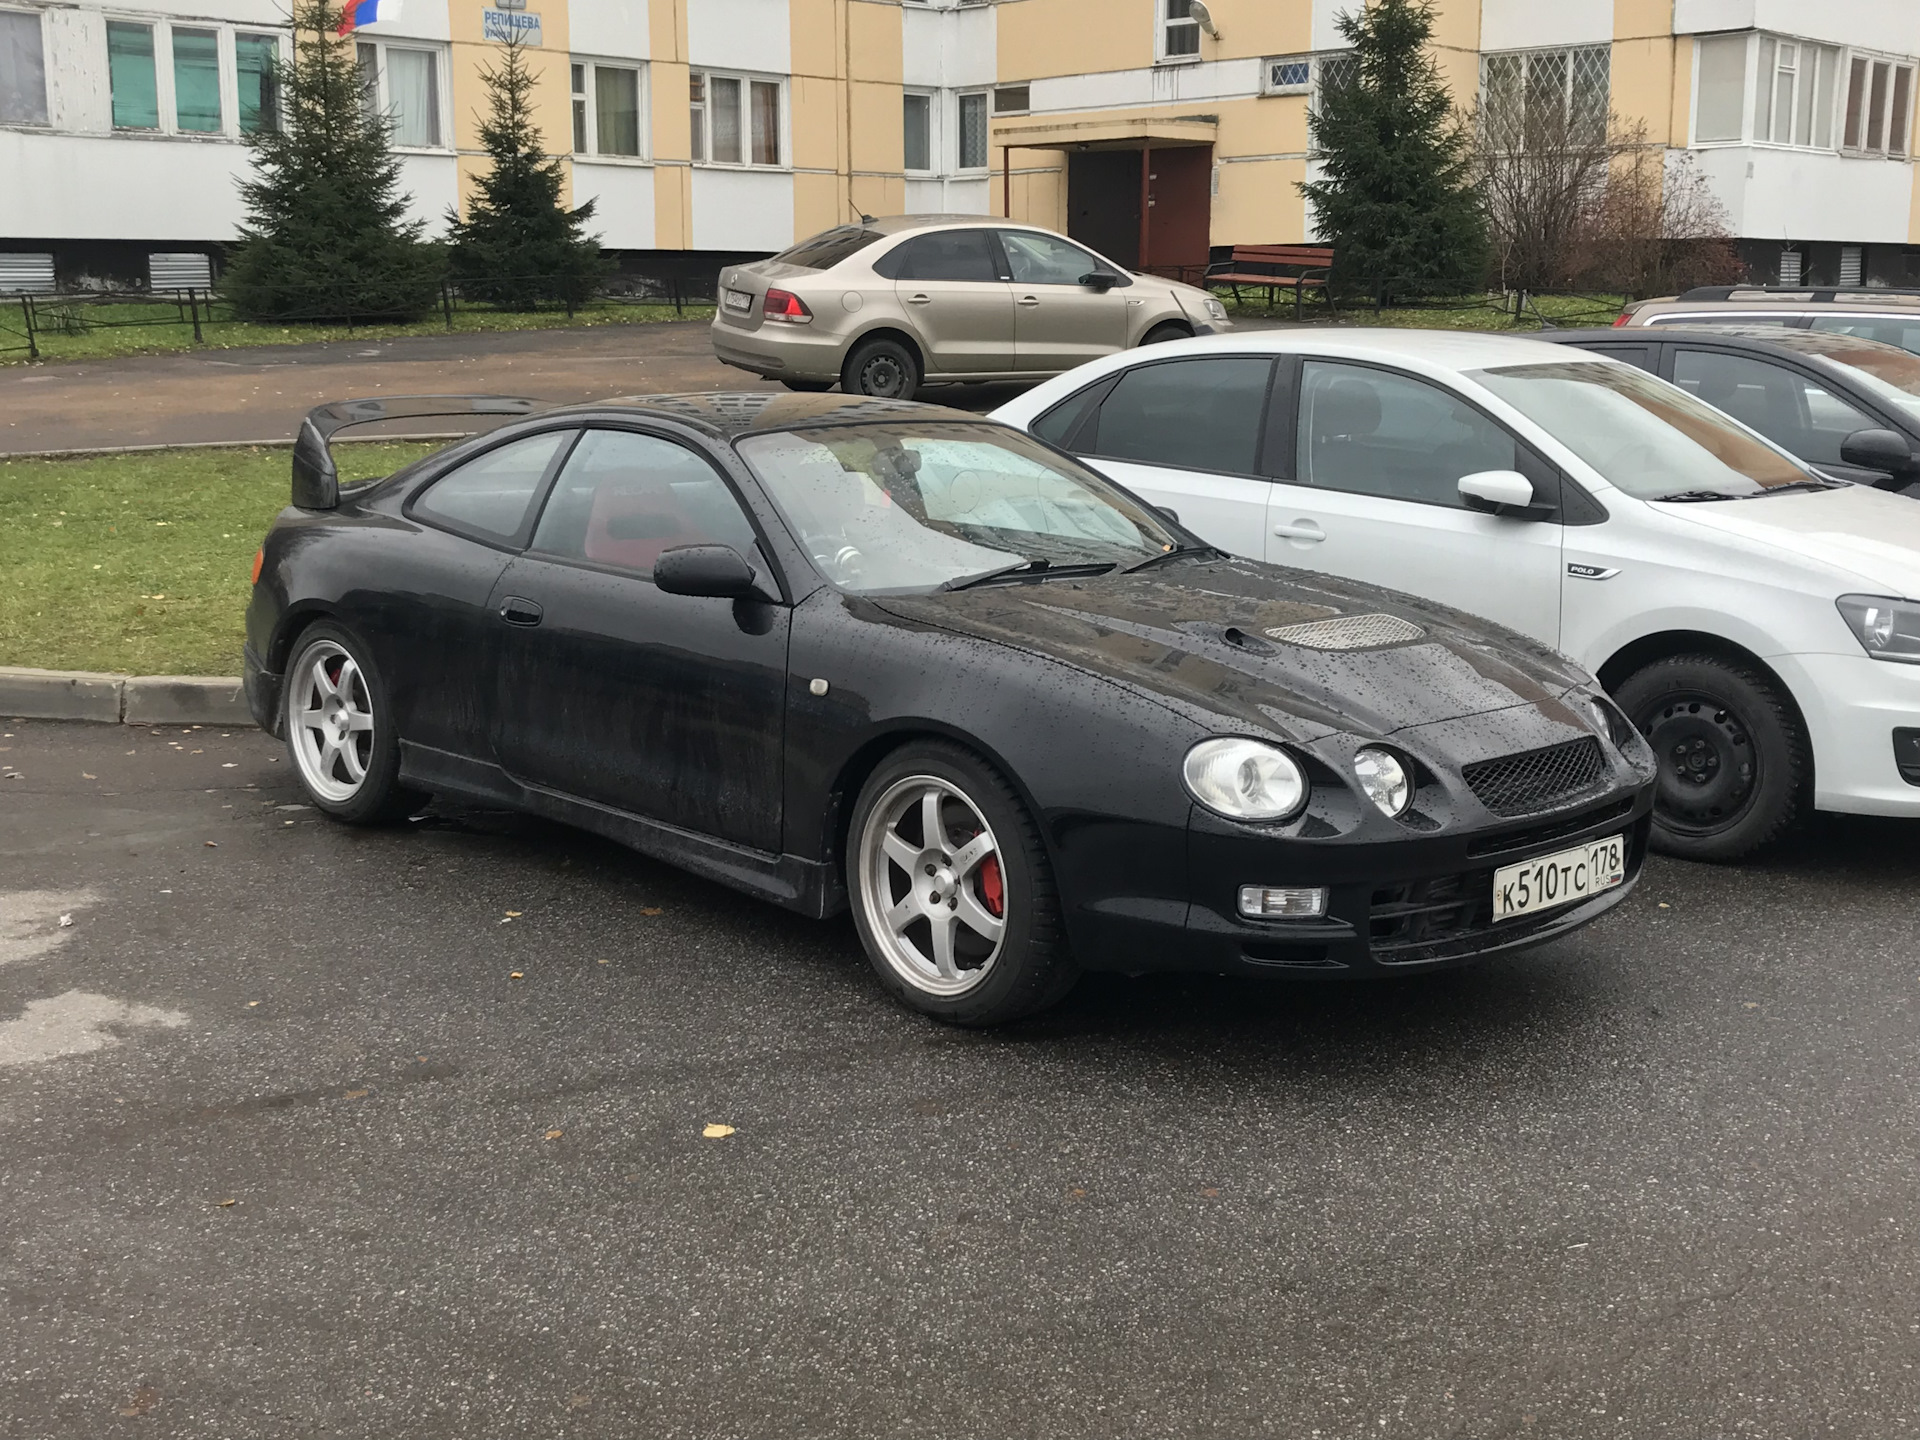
(139, 564)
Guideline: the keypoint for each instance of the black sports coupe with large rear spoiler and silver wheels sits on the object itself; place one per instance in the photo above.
(844, 652)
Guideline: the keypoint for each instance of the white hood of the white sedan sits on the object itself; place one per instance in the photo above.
(1867, 533)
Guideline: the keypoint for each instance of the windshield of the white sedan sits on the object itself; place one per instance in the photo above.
(1643, 435)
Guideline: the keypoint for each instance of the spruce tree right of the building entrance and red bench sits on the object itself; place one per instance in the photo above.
(1399, 201)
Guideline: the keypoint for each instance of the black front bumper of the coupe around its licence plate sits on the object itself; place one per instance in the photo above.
(1424, 903)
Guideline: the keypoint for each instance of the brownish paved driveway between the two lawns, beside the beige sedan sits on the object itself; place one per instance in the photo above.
(262, 395)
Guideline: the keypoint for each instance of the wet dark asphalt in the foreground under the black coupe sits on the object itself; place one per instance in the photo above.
(316, 1132)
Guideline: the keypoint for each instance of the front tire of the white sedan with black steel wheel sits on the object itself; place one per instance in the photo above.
(1735, 767)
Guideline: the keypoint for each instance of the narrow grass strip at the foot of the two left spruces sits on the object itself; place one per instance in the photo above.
(101, 339)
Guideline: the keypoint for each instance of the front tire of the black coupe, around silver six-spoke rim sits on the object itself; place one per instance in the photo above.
(1030, 967)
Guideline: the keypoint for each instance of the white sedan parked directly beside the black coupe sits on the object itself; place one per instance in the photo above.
(1756, 621)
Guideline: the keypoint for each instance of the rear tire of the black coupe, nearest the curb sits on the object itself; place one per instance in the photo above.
(377, 798)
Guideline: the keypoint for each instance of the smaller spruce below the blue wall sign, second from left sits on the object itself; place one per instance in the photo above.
(519, 245)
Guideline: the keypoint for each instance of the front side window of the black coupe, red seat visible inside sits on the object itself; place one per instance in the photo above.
(625, 498)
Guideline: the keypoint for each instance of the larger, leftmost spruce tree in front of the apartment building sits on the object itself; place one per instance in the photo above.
(327, 231)
